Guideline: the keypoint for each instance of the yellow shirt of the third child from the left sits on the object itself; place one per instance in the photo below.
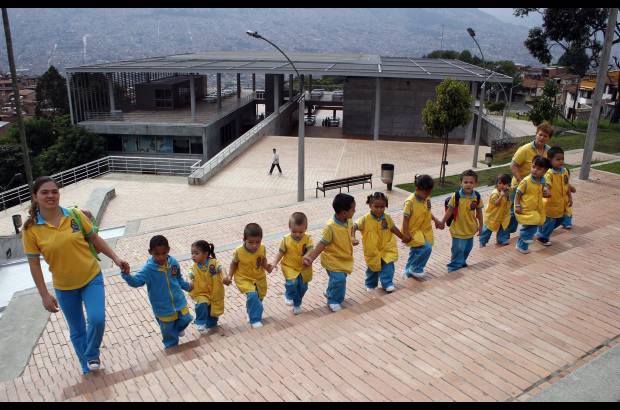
(250, 274)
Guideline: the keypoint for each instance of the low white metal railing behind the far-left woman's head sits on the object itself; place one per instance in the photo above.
(123, 164)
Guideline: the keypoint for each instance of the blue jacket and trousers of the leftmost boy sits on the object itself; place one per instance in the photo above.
(164, 286)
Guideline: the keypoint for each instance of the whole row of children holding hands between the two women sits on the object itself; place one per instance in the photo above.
(540, 201)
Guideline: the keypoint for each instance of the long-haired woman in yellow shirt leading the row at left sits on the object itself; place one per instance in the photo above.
(52, 232)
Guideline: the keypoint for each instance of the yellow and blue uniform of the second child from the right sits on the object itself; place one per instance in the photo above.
(532, 209)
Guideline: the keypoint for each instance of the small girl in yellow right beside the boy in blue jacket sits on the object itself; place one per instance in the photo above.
(207, 292)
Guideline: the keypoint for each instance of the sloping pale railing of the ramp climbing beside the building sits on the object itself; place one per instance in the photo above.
(199, 172)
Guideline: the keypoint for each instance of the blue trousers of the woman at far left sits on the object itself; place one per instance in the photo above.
(86, 336)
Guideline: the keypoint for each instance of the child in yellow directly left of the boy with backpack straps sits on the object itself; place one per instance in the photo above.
(417, 228)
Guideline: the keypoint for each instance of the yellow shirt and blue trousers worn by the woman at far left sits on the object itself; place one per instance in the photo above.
(76, 278)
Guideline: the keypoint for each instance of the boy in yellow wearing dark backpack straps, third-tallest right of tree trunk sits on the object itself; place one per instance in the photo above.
(465, 207)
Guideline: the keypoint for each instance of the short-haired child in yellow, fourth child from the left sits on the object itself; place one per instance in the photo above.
(293, 248)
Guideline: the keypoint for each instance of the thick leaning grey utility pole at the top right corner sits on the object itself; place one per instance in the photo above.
(588, 148)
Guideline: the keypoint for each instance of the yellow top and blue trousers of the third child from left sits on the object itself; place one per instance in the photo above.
(251, 279)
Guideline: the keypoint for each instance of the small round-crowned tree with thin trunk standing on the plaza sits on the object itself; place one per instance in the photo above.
(451, 109)
